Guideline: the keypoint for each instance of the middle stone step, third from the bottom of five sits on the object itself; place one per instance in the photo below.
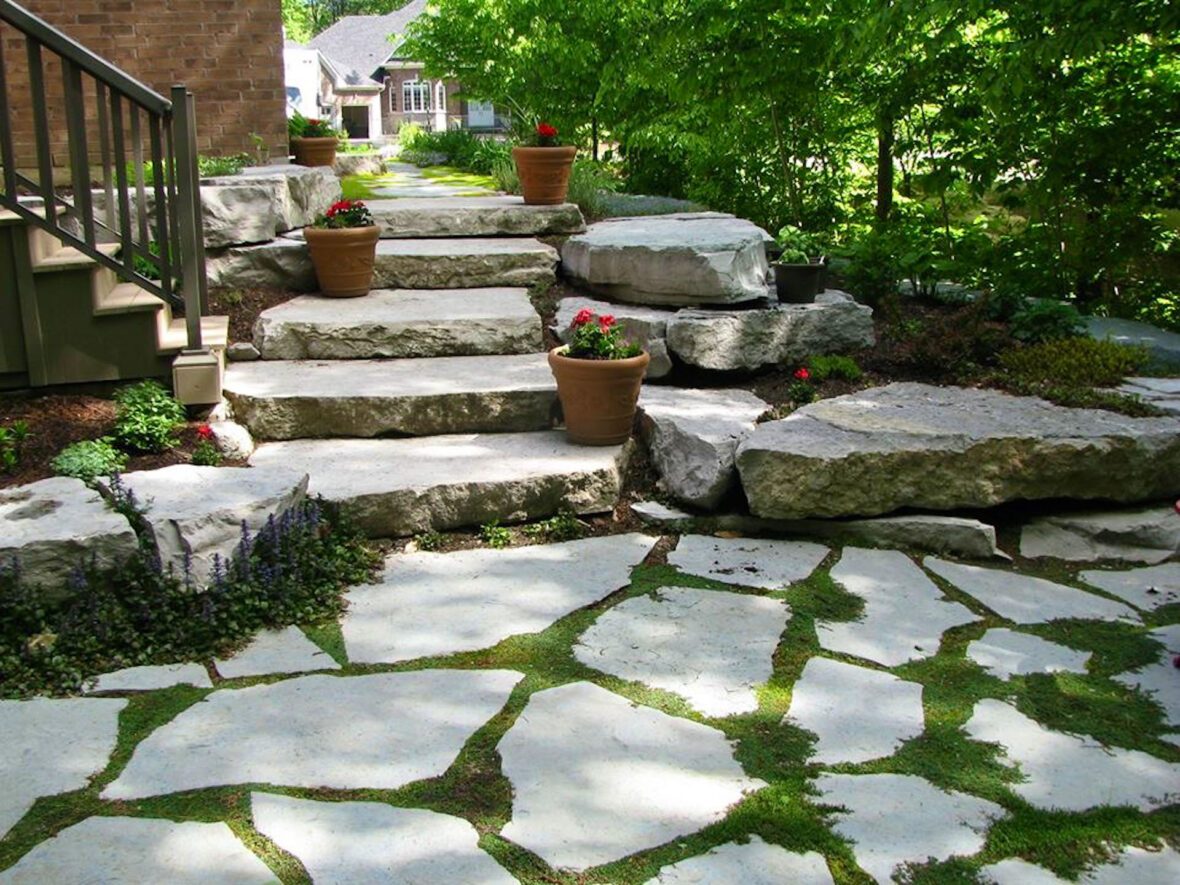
(401, 324)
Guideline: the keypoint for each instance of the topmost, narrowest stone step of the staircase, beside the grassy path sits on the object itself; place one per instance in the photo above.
(473, 218)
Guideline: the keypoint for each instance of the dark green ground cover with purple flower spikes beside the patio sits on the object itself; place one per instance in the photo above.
(292, 572)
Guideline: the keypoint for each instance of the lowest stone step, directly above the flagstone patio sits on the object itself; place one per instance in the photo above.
(402, 487)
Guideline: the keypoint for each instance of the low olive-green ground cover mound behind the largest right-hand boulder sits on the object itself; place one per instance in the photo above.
(1073, 363)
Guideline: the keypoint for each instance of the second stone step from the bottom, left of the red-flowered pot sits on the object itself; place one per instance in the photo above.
(407, 398)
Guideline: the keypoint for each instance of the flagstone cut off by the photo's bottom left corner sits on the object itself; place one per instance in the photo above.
(110, 851)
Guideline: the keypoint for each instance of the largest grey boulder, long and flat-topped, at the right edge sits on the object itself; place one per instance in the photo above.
(912, 445)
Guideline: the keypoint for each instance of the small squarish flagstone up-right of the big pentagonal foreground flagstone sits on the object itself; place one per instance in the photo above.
(856, 713)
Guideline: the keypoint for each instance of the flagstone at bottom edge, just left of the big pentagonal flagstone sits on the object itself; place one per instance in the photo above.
(376, 844)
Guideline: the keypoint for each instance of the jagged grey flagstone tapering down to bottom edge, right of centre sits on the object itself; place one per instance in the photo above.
(895, 820)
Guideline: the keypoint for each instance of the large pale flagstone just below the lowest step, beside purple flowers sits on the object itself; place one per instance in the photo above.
(442, 604)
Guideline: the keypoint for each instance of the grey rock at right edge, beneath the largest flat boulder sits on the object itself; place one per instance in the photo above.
(1146, 535)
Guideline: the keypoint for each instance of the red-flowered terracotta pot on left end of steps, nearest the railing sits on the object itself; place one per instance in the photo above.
(343, 244)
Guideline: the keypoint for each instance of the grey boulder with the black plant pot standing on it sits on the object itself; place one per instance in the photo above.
(729, 340)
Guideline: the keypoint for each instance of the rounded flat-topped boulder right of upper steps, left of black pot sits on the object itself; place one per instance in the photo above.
(674, 261)
